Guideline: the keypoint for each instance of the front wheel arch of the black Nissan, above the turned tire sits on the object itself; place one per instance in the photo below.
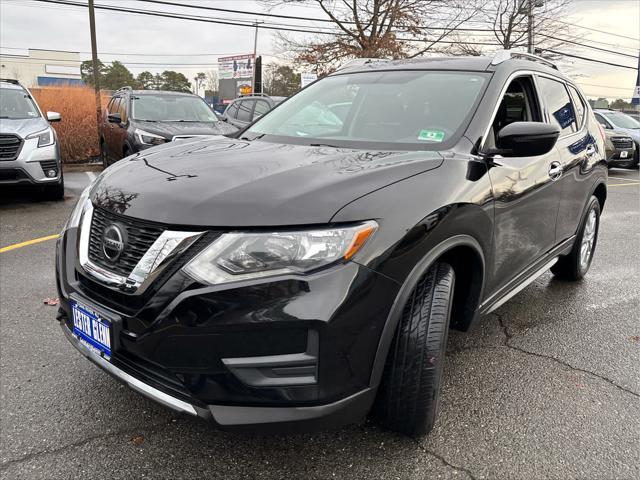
(457, 250)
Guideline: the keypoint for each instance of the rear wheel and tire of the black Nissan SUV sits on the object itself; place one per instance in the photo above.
(575, 266)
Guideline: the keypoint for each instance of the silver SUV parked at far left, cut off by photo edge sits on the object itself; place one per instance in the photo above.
(29, 150)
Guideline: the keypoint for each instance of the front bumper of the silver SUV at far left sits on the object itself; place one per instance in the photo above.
(31, 165)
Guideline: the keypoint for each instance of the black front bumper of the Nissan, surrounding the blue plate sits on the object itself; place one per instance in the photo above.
(276, 354)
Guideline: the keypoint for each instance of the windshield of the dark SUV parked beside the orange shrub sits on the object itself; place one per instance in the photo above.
(171, 108)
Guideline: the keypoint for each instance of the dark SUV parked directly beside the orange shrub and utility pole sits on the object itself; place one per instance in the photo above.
(139, 119)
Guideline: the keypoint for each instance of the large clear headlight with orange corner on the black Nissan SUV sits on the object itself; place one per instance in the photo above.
(239, 256)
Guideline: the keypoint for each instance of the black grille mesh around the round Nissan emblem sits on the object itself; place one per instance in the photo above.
(140, 235)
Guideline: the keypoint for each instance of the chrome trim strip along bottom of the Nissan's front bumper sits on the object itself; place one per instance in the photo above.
(141, 387)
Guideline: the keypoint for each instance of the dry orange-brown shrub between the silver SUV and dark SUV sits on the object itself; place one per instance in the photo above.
(77, 132)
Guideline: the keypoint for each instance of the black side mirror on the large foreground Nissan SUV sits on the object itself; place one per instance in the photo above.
(526, 139)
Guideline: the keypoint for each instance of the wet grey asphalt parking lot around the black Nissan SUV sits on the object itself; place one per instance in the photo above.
(548, 387)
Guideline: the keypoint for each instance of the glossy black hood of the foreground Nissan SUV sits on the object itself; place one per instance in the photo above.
(224, 182)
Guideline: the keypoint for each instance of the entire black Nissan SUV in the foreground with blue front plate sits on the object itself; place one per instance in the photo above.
(306, 272)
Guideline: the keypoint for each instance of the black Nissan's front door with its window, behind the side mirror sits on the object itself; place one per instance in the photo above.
(526, 195)
